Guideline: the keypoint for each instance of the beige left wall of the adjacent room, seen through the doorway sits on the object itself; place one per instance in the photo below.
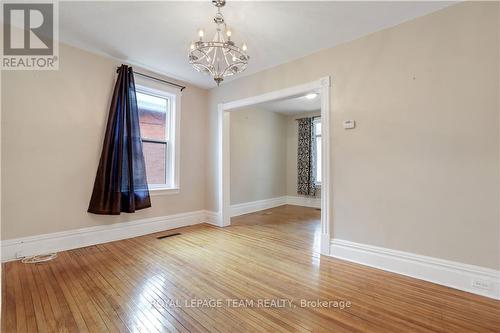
(257, 155)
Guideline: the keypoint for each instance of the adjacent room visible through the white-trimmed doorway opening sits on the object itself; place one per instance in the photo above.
(275, 165)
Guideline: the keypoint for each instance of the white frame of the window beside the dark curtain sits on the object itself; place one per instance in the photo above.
(172, 149)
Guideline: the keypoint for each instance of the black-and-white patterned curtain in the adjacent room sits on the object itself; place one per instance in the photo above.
(306, 158)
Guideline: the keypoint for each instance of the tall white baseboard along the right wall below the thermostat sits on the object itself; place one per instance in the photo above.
(470, 278)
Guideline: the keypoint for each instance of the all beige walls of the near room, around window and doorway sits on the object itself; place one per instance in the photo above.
(420, 173)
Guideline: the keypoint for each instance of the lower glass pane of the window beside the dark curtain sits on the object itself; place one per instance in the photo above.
(155, 158)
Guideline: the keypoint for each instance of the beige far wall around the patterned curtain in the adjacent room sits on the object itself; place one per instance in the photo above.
(292, 145)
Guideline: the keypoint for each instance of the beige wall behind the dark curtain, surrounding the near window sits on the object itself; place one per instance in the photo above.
(52, 131)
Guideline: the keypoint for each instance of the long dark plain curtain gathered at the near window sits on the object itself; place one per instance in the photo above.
(120, 183)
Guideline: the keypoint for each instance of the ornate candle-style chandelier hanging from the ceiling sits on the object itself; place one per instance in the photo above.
(218, 57)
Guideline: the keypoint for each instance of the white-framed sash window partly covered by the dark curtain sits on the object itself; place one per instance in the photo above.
(158, 120)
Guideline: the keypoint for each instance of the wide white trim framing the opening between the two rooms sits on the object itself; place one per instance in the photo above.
(321, 86)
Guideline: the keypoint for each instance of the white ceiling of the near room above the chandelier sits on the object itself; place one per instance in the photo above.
(157, 35)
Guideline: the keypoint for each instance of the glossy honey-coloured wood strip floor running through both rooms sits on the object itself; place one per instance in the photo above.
(147, 284)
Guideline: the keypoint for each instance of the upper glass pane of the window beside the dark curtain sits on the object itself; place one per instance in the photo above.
(152, 116)
